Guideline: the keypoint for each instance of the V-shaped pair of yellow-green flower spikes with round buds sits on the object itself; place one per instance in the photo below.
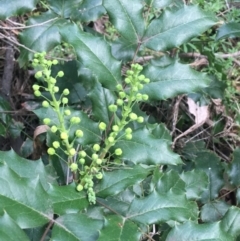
(87, 172)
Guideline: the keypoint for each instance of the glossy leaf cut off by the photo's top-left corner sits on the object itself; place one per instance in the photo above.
(13, 8)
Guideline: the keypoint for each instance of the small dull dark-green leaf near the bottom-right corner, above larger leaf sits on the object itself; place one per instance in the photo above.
(213, 211)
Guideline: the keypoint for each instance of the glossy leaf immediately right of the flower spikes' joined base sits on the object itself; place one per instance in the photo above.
(118, 180)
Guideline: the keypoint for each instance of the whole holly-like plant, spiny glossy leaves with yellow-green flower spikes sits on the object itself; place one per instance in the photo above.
(110, 171)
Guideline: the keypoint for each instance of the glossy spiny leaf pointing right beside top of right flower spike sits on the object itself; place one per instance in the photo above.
(173, 80)
